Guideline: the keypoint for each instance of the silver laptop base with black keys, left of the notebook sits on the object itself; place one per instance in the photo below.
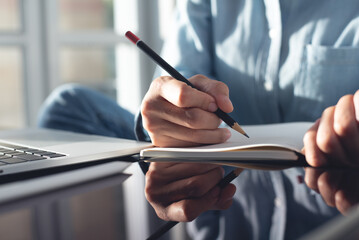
(28, 150)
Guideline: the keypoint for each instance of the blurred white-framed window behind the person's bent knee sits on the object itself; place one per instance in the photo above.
(46, 43)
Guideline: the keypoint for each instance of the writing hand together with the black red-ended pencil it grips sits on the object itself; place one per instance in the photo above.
(182, 112)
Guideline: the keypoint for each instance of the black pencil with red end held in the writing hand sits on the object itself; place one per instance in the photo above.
(175, 74)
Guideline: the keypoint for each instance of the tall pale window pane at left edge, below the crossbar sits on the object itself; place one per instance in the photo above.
(11, 97)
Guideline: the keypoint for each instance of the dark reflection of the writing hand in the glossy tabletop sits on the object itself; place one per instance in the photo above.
(181, 192)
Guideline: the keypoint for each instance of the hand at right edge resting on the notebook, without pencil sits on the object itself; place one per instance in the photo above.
(335, 138)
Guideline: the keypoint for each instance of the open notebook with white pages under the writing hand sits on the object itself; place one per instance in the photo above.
(270, 146)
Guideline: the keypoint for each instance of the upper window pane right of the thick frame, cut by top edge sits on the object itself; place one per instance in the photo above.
(85, 15)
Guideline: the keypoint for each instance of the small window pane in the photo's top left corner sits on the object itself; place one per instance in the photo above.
(9, 15)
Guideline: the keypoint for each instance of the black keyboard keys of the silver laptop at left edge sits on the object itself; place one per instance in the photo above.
(11, 154)
